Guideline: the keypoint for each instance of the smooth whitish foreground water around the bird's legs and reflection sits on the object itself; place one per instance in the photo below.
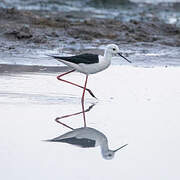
(138, 106)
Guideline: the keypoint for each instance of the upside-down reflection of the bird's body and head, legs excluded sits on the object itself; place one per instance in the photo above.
(87, 137)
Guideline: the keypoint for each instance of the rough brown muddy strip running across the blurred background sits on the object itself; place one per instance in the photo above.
(42, 27)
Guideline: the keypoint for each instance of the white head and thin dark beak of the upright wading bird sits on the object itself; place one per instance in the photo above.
(113, 49)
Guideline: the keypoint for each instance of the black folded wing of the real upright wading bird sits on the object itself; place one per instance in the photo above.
(82, 58)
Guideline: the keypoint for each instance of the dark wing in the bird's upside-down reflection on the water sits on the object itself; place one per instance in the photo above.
(83, 142)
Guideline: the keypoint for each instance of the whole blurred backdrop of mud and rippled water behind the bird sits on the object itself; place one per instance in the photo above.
(32, 28)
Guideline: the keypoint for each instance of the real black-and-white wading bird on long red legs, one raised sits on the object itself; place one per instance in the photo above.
(88, 64)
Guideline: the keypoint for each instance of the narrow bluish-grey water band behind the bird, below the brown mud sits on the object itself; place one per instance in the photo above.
(142, 55)
